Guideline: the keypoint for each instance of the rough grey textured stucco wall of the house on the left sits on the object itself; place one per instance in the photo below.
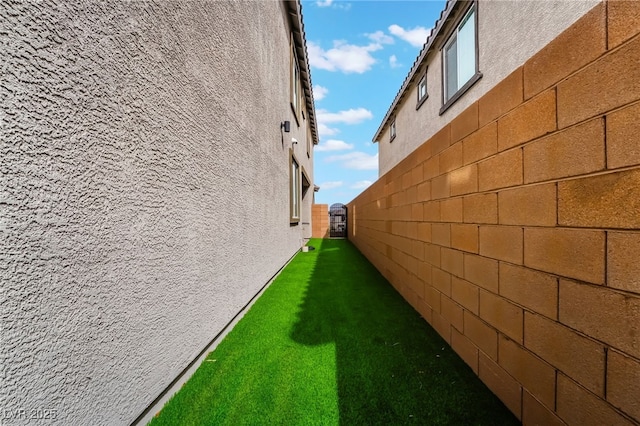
(144, 196)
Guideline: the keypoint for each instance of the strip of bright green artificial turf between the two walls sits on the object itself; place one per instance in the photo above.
(331, 342)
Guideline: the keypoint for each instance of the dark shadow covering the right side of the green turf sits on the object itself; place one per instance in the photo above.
(391, 366)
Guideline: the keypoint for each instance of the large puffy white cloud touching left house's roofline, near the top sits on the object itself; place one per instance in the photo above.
(344, 57)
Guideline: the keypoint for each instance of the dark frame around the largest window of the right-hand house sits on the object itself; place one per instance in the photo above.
(453, 37)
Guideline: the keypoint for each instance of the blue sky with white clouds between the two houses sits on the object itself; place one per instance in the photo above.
(360, 53)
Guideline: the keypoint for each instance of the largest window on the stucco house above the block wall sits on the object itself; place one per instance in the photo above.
(460, 59)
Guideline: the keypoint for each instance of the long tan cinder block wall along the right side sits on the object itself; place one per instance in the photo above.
(514, 230)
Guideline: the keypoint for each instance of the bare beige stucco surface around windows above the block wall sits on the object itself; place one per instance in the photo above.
(509, 33)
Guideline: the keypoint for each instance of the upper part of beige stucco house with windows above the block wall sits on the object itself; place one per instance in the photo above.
(483, 43)
